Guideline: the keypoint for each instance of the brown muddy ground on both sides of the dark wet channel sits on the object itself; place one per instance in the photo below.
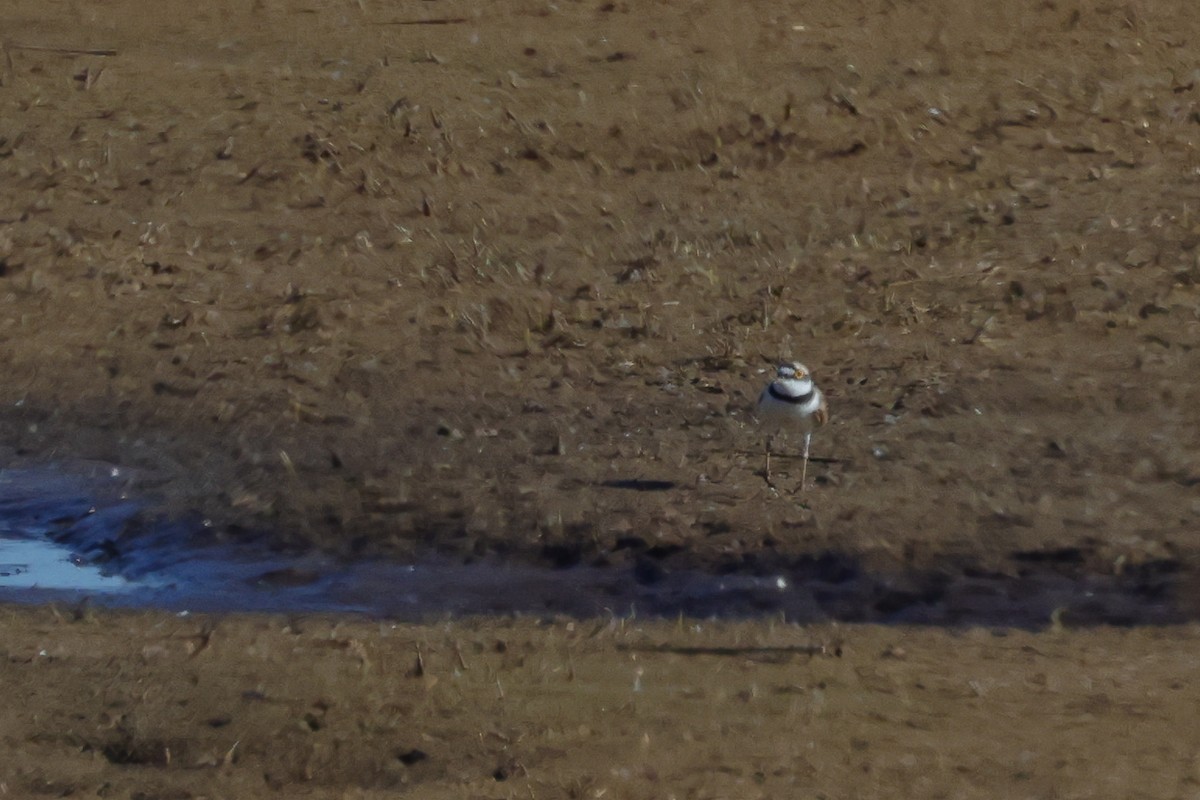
(505, 281)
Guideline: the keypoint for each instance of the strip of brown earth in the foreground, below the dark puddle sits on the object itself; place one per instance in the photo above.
(151, 706)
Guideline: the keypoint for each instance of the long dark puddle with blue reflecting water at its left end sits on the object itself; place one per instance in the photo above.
(75, 534)
